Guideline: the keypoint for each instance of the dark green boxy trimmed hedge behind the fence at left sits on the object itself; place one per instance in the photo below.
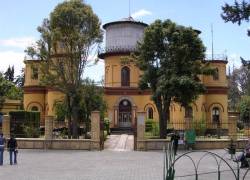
(25, 123)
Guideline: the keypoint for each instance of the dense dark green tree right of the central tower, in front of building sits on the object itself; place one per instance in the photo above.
(170, 57)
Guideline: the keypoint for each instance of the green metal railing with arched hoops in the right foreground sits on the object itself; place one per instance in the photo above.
(207, 165)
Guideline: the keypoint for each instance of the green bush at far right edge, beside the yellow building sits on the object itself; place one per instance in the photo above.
(244, 109)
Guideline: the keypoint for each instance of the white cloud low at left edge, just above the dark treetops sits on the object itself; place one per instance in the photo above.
(10, 58)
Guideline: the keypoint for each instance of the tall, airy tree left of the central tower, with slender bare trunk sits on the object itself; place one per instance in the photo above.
(68, 37)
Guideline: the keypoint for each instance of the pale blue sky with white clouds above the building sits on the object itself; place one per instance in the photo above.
(19, 21)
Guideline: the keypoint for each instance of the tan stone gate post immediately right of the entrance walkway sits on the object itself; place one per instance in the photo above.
(141, 116)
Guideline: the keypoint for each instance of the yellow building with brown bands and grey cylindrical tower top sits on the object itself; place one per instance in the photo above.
(122, 94)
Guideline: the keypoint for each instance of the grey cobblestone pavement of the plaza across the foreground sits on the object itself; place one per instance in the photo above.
(107, 165)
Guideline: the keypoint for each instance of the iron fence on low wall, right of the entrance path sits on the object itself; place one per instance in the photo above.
(203, 130)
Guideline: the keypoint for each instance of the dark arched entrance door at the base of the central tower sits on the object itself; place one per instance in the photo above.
(125, 115)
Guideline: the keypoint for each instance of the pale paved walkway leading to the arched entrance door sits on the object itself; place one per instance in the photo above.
(123, 142)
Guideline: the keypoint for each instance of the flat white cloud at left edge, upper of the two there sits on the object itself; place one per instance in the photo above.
(21, 42)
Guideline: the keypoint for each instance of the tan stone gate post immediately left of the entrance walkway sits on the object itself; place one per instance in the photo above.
(95, 130)
